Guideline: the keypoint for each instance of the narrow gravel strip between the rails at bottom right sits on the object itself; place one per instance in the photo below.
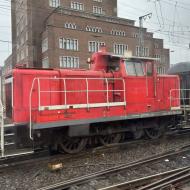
(137, 172)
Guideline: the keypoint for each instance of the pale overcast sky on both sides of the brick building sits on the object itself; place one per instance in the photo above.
(169, 21)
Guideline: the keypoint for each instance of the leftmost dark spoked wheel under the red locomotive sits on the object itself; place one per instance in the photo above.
(72, 145)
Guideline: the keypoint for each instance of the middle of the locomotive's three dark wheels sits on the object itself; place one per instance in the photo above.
(110, 139)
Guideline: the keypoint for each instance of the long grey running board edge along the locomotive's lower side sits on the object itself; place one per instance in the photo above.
(104, 119)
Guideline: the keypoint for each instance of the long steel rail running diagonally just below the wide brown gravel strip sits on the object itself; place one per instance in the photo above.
(86, 178)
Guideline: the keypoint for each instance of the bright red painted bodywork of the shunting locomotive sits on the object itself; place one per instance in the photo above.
(143, 94)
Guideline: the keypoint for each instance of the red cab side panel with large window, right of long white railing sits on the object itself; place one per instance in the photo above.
(136, 86)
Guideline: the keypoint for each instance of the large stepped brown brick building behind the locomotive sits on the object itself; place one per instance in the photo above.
(64, 33)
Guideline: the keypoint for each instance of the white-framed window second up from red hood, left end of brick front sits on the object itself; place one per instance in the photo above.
(68, 44)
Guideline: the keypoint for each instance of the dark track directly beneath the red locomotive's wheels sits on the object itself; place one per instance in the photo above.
(44, 156)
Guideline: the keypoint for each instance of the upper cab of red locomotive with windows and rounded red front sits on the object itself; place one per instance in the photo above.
(126, 66)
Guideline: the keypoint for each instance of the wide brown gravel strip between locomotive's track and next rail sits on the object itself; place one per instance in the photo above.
(38, 175)
